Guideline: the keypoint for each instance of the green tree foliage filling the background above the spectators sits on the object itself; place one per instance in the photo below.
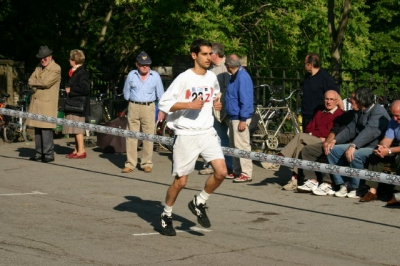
(275, 33)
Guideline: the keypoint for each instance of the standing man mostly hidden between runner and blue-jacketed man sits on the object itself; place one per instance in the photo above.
(220, 125)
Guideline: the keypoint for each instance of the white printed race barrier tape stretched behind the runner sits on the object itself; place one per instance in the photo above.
(256, 156)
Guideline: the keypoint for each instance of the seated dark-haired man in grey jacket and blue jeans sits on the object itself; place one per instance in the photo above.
(357, 140)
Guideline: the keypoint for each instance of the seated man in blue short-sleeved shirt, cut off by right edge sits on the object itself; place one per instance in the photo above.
(384, 153)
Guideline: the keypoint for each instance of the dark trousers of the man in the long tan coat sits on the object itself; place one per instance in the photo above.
(44, 143)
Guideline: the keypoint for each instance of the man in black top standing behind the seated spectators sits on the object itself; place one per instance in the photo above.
(316, 84)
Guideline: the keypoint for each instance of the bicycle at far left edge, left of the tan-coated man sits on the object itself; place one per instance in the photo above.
(15, 127)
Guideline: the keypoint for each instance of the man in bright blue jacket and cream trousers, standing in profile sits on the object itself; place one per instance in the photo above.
(239, 105)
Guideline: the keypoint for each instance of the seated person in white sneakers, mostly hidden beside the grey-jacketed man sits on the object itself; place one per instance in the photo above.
(317, 152)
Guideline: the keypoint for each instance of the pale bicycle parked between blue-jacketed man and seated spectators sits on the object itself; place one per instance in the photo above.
(276, 126)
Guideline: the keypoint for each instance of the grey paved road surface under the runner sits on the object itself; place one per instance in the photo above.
(85, 212)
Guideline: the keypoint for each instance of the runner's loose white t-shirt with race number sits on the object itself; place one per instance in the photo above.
(185, 88)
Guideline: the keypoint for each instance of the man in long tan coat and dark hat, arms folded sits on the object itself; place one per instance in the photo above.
(45, 83)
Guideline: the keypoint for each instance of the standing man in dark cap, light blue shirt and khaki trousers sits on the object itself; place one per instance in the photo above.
(142, 88)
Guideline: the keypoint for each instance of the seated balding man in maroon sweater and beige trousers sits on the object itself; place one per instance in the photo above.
(315, 132)
